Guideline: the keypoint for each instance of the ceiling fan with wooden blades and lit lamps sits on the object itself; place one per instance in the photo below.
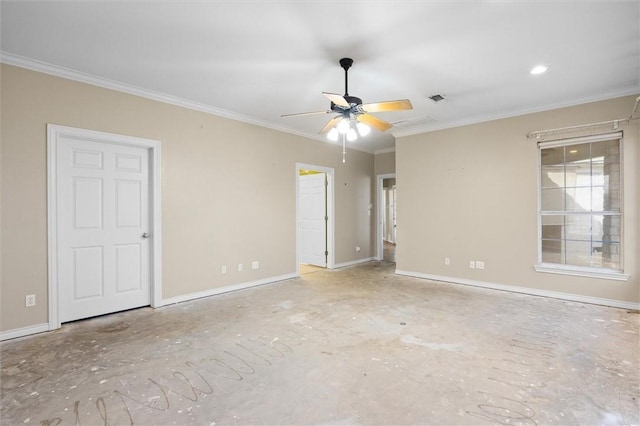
(350, 110)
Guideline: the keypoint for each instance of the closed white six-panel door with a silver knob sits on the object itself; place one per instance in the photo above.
(103, 228)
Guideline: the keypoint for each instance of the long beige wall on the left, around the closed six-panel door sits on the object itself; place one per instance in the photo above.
(228, 189)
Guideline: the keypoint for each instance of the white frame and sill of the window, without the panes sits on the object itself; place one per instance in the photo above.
(575, 270)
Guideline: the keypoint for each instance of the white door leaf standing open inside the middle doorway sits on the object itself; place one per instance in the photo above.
(313, 219)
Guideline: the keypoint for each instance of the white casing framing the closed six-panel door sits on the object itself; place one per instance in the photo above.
(54, 132)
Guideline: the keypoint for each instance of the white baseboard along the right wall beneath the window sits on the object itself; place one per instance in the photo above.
(525, 290)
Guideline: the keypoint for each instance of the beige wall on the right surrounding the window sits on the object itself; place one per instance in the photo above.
(470, 193)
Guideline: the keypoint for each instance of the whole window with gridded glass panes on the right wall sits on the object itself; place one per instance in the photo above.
(580, 221)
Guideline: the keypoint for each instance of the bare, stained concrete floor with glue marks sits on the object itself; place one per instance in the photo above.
(352, 346)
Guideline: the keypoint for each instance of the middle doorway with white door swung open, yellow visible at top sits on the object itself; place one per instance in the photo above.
(314, 217)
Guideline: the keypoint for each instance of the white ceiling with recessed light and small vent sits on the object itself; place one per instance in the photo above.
(257, 60)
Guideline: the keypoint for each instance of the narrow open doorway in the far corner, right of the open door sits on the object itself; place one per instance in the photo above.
(387, 225)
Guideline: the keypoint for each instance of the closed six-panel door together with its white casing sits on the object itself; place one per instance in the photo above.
(104, 223)
